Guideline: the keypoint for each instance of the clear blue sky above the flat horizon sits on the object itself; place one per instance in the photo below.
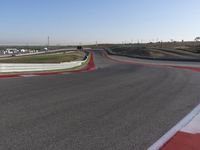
(105, 21)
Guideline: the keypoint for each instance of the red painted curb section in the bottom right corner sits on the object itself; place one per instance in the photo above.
(183, 141)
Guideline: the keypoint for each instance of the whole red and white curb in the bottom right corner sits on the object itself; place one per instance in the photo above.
(184, 136)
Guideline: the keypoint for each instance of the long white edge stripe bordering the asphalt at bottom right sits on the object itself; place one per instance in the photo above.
(175, 129)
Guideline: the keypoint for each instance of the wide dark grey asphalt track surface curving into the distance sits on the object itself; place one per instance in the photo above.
(117, 107)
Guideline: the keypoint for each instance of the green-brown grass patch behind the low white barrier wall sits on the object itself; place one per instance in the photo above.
(45, 58)
